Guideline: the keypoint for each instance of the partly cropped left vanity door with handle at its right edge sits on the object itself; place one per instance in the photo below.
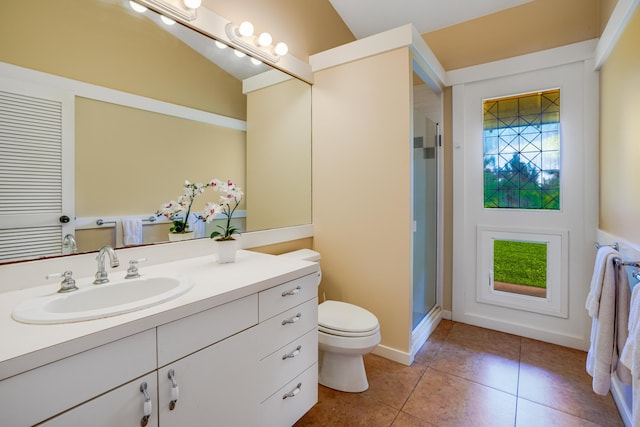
(123, 406)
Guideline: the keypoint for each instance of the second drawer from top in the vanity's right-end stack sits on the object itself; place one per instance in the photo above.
(286, 327)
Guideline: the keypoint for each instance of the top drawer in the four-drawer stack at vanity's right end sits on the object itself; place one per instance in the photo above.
(282, 297)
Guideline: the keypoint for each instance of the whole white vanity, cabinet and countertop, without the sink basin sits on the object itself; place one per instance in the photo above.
(240, 348)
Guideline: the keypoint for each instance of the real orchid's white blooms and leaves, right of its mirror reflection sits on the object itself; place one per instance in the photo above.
(228, 203)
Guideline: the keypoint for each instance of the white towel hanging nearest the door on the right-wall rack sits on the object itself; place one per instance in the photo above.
(608, 305)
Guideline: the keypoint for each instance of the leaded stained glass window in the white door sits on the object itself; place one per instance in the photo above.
(522, 151)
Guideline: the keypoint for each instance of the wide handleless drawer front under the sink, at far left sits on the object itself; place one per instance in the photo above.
(36, 395)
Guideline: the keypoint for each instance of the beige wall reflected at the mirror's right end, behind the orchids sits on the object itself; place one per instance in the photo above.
(279, 155)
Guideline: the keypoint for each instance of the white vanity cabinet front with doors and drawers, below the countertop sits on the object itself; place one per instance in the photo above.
(249, 361)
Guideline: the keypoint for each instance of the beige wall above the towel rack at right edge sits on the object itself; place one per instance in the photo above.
(620, 136)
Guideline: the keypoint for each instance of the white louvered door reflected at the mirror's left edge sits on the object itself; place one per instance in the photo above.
(35, 179)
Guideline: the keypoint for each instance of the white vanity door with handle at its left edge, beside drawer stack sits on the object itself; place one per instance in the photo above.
(215, 386)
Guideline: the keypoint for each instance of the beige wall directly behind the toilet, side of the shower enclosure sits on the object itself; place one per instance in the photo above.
(361, 193)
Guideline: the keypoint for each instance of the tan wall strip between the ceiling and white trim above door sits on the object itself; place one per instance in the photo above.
(533, 26)
